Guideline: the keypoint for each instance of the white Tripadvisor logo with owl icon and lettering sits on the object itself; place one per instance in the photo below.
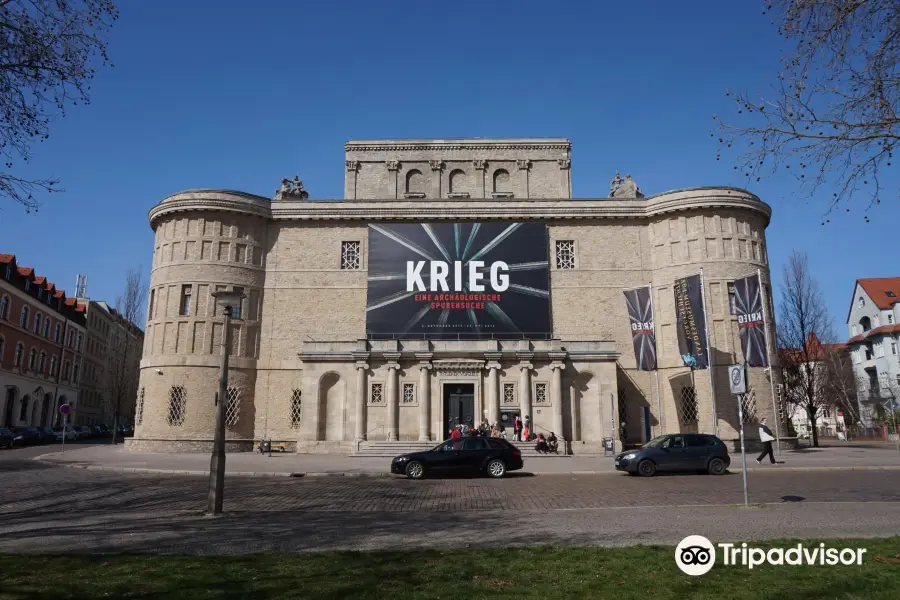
(695, 555)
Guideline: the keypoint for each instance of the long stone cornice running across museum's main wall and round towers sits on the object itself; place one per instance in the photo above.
(444, 209)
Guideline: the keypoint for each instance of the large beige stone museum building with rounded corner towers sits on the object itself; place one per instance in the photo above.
(456, 281)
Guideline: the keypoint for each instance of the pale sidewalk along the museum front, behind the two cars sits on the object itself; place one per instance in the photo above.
(116, 458)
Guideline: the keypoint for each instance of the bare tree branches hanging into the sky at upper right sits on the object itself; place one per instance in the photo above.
(833, 118)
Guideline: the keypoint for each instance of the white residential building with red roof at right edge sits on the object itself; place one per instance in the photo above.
(873, 322)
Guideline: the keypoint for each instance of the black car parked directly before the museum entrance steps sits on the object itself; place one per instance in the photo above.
(473, 455)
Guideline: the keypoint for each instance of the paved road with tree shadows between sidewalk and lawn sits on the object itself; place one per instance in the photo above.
(49, 508)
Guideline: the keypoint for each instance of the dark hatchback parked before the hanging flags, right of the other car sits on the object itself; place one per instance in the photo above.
(682, 452)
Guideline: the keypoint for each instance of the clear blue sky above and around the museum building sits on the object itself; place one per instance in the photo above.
(237, 95)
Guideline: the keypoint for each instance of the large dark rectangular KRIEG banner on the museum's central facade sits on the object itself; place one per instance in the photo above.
(458, 280)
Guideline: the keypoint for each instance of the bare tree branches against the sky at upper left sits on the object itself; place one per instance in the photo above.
(47, 48)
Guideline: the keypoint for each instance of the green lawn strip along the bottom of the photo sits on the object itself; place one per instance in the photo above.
(541, 573)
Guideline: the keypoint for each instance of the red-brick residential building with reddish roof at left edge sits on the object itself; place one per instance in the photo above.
(42, 333)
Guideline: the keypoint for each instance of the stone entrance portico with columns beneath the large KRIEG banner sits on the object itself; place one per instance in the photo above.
(417, 390)
